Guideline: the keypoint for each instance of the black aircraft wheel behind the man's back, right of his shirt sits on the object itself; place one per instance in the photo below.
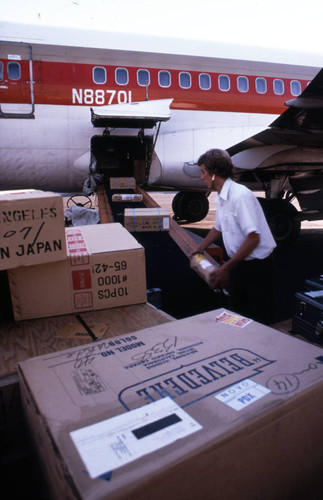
(281, 217)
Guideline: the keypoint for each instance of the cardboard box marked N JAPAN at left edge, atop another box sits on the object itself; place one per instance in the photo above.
(31, 228)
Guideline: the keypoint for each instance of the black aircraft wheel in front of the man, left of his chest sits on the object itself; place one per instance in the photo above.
(190, 206)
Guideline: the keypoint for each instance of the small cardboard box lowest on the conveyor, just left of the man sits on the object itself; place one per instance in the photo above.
(146, 219)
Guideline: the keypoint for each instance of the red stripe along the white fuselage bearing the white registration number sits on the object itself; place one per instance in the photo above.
(60, 83)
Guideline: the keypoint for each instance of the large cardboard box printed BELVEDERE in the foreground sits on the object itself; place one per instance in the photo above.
(211, 406)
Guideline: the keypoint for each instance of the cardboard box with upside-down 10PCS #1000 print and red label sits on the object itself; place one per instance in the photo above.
(105, 268)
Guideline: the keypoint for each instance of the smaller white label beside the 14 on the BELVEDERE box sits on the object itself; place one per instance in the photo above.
(240, 395)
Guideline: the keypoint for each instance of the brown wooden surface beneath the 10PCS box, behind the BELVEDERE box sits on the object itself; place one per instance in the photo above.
(26, 339)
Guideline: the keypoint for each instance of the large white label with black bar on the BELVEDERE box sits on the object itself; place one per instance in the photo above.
(114, 442)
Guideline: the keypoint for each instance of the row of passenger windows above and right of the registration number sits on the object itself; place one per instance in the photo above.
(185, 81)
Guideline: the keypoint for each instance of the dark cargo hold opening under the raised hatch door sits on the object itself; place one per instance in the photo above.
(122, 156)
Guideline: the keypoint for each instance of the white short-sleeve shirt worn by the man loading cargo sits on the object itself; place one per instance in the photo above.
(238, 214)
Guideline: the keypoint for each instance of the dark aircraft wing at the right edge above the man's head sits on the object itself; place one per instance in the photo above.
(300, 125)
